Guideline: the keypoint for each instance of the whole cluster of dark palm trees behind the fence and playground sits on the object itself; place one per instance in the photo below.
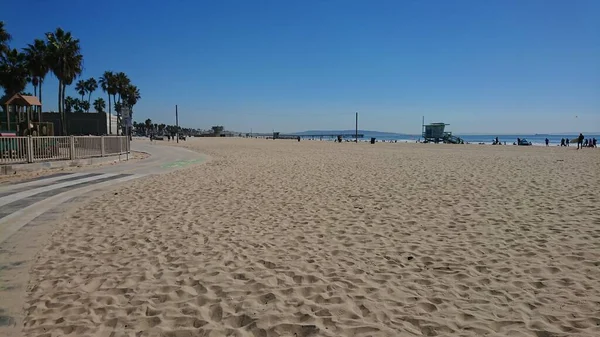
(59, 54)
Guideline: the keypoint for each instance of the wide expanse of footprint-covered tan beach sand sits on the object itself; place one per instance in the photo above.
(280, 238)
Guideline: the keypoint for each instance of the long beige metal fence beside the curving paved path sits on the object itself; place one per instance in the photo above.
(15, 150)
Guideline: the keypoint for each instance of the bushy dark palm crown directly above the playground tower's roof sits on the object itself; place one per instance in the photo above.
(13, 72)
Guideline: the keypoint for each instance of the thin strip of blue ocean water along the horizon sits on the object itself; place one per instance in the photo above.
(487, 139)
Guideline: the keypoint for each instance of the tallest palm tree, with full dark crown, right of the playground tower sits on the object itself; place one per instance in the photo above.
(65, 61)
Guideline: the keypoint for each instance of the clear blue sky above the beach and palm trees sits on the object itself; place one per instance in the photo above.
(511, 66)
